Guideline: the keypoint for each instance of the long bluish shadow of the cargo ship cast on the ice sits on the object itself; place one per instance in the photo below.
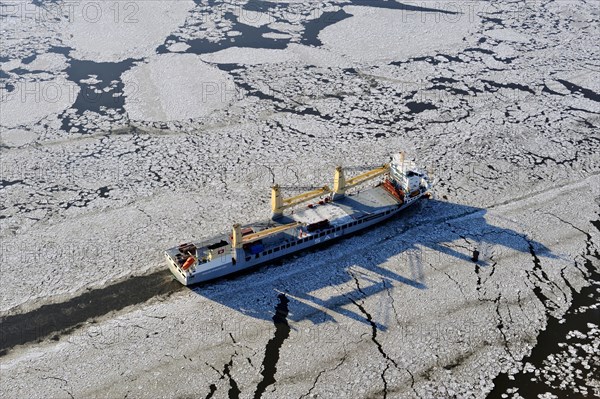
(394, 254)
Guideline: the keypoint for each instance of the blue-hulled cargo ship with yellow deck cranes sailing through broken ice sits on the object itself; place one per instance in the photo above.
(316, 217)
